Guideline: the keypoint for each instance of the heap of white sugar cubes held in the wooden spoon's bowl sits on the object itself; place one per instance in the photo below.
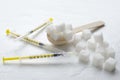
(60, 31)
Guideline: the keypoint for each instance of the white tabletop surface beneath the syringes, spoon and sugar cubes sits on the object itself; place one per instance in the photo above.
(23, 15)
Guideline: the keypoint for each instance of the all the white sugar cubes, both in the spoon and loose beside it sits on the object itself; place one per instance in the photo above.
(85, 43)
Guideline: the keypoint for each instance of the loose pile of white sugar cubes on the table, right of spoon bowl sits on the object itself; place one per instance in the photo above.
(103, 55)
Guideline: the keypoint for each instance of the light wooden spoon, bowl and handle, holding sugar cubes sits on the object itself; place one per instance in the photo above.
(62, 41)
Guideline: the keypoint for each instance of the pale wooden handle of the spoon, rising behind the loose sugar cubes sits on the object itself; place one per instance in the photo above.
(92, 25)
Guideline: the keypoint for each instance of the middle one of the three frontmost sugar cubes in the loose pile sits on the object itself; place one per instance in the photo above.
(98, 60)
